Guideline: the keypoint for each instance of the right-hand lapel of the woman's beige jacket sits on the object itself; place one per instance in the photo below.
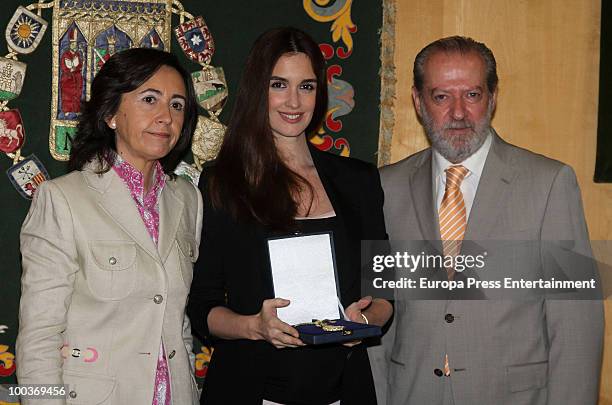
(170, 212)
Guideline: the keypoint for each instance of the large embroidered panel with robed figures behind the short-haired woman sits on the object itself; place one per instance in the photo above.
(85, 35)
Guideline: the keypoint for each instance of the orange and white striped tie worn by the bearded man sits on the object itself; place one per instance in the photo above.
(453, 221)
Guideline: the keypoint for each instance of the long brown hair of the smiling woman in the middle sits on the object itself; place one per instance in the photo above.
(249, 180)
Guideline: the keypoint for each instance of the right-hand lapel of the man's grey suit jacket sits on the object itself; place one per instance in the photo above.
(493, 190)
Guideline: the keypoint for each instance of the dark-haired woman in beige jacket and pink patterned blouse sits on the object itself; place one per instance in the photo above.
(108, 249)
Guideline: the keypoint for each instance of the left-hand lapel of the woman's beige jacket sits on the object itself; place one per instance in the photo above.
(117, 202)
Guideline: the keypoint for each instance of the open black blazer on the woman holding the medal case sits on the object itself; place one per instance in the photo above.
(233, 270)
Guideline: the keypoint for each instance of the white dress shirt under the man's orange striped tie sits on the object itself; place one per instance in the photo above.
(469, 185)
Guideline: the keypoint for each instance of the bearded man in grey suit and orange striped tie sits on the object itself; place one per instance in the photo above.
(471, 185)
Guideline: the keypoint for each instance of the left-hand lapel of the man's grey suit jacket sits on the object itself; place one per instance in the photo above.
(422, 198)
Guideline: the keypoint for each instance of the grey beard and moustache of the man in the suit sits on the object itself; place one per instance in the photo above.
(457, 148)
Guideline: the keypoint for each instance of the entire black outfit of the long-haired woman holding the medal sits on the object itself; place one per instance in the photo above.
(233, 270)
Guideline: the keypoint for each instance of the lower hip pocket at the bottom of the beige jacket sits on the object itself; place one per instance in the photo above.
(88, 389)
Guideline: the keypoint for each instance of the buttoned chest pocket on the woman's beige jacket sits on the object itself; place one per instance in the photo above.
(112, 273)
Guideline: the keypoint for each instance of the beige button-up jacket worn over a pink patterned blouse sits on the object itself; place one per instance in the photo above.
(98, 295)
